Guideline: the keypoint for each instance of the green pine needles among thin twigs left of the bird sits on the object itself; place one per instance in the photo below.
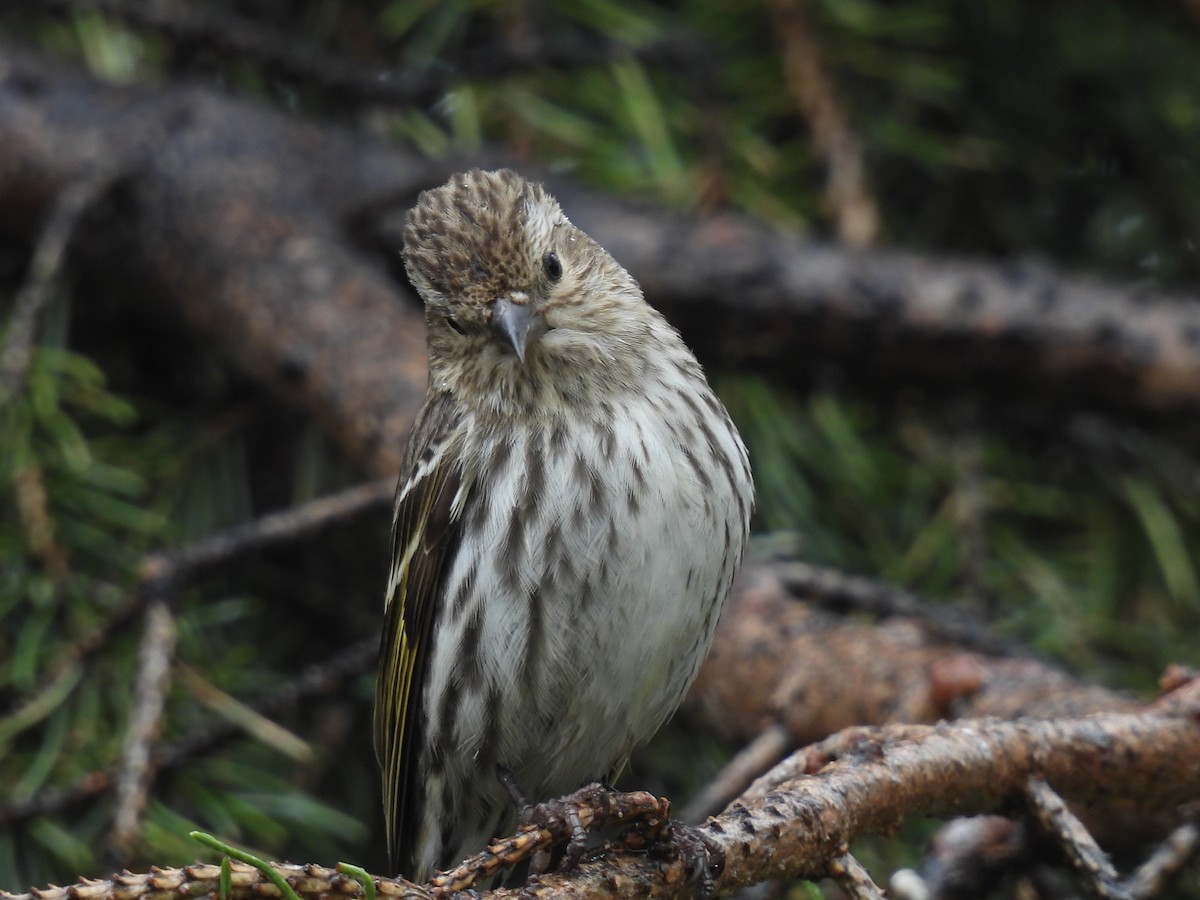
(91, 482)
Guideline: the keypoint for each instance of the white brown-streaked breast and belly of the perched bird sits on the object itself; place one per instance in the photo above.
(640, 581)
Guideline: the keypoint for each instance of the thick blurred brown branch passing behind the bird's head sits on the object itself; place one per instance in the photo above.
(262, 233)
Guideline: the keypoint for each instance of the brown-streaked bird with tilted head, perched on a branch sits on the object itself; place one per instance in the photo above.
(574, 506)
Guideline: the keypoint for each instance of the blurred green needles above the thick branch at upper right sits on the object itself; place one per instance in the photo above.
(1006, 129)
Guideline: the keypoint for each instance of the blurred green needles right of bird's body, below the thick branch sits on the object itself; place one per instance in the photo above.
(1084, 556)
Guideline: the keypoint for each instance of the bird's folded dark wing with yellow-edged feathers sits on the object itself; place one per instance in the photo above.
(425, 537)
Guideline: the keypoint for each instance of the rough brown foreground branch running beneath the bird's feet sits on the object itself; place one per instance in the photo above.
(887, 775)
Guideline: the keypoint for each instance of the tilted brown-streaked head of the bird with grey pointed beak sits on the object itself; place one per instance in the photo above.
(520, 304)
